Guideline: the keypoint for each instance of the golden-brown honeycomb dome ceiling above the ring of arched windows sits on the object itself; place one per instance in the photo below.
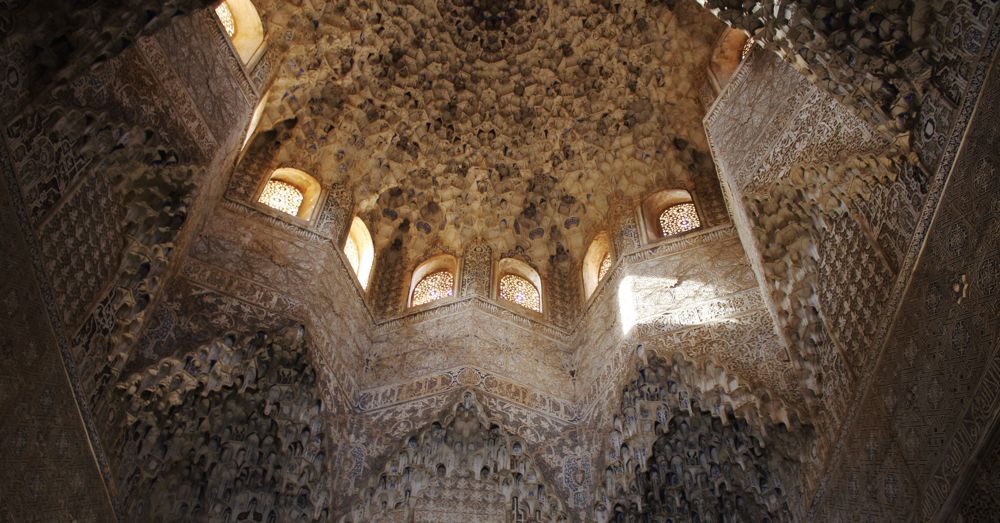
(510, 122)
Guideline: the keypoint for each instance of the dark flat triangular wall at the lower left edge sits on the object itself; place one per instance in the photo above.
(44, 440)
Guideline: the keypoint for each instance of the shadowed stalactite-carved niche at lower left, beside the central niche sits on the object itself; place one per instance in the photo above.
(231, 432)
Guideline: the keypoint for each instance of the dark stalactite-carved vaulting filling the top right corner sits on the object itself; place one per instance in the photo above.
(902, 67)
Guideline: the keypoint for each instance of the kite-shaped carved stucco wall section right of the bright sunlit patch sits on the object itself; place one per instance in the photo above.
(826, 213)
